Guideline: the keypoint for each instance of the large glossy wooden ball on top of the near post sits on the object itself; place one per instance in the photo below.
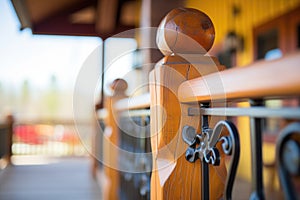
(186, 31)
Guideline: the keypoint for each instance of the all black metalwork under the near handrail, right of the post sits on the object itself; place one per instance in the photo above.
(202, 146)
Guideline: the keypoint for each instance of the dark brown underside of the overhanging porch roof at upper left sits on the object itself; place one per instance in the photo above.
(103, 18)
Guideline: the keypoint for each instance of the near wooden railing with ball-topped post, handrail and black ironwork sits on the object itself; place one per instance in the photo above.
(193, 117)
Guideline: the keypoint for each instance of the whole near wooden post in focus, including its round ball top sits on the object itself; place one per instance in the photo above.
(183, 36)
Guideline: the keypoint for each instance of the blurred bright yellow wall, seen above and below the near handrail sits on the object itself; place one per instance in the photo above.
(252, 13)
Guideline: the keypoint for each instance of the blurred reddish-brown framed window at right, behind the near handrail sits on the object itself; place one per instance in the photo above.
(273, 39)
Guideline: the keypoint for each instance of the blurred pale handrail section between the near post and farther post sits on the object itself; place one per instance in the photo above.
(131, 103)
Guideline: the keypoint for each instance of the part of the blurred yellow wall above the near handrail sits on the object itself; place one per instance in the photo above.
(252, 13)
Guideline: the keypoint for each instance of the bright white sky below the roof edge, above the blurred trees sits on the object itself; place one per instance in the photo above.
(24, 56)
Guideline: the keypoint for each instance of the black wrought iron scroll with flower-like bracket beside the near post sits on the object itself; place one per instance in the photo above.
(203, 146)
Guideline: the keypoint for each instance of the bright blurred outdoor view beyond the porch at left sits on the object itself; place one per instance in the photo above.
(37, 78)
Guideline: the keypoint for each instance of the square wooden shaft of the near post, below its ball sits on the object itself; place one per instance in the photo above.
(173, 177)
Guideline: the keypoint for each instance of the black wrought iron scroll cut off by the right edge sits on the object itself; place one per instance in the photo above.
(288, 159)
